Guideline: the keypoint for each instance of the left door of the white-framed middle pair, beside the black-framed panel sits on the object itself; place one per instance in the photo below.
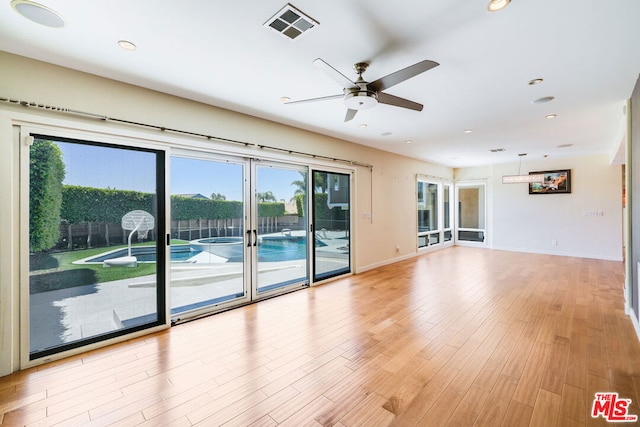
(208, 212)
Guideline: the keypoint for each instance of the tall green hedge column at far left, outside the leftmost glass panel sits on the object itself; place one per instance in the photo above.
(46, 173)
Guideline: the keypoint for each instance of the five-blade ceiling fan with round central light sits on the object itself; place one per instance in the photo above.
(360, 95)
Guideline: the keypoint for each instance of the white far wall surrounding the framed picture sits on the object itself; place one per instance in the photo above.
(529, 223)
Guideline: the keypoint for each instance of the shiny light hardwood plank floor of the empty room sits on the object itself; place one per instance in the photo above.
(458, 337)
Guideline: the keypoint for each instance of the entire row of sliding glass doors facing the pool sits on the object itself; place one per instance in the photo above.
(103, 240)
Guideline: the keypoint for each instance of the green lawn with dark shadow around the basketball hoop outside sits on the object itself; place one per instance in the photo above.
(55, 270)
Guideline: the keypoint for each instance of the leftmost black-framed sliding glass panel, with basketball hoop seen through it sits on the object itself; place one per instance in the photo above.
(96, 242)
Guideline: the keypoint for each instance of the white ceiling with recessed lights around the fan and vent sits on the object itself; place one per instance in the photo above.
(220, 53)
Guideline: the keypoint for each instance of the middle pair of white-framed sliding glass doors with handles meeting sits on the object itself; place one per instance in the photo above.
(238, 231)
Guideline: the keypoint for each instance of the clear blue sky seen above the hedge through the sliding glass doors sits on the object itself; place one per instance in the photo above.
(122, 169)
